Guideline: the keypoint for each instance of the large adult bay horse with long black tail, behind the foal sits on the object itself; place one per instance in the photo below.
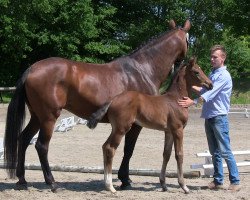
(53, 84)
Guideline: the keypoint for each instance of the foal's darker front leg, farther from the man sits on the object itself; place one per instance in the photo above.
(166, 156)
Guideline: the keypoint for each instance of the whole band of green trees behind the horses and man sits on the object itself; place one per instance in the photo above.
(101, 30)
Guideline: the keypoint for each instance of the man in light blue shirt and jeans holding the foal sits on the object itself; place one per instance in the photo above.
(216, 103)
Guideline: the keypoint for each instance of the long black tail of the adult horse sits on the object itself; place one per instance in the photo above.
(14, 124)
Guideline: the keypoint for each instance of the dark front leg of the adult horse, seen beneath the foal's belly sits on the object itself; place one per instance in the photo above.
(130, 141)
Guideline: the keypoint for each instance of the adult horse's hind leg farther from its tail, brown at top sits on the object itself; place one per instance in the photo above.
(42, 146)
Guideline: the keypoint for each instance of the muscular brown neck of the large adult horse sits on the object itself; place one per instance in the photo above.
(158, 58)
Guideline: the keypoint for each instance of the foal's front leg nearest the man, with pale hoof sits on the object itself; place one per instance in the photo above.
(178, 143)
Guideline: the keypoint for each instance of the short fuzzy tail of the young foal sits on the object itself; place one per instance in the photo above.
(98, 115)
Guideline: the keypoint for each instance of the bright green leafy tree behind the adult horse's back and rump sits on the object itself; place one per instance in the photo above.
(37, 29)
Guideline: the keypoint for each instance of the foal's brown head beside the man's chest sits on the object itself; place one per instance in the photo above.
(195, 76)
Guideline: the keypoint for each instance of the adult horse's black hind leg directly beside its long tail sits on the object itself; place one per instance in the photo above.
(23, 142)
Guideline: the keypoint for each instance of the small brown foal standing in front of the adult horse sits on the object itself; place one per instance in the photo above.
(155, 112)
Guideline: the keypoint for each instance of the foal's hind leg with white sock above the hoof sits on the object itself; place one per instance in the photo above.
(109, 148)
